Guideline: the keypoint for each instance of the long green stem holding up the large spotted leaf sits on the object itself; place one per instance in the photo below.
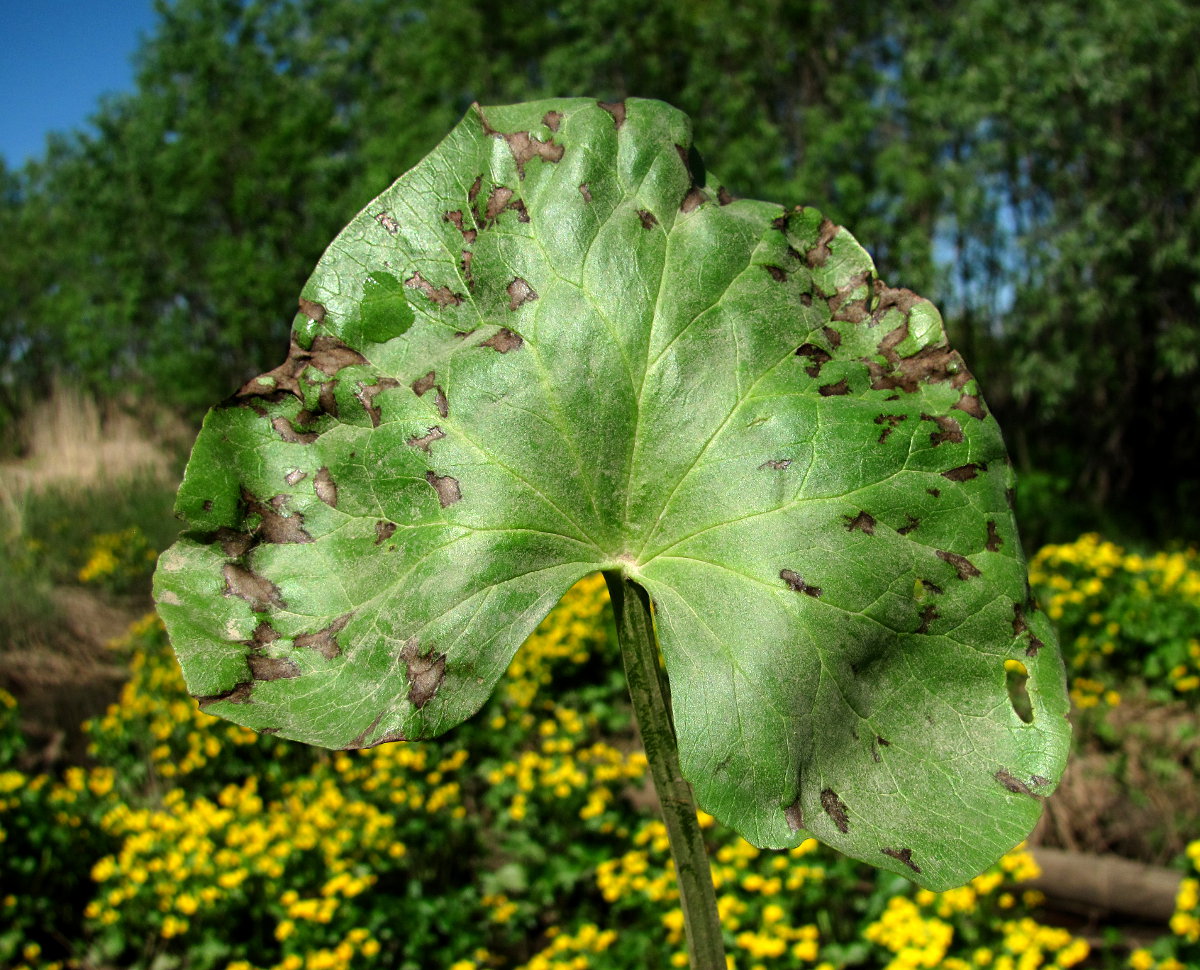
(649, 690)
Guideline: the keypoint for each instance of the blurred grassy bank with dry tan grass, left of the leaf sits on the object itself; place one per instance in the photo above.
(82, 512)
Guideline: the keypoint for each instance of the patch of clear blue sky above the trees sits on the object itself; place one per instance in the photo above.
(59, 58)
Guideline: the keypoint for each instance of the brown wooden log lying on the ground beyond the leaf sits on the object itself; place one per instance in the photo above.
(1106, 884)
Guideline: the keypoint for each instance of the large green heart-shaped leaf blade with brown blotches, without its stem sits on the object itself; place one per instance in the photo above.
(555, 348)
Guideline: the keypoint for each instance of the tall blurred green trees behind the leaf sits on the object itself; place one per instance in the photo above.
(1033, 170)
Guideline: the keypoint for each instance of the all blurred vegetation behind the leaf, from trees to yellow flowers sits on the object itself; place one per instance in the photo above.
(1034, 171)
